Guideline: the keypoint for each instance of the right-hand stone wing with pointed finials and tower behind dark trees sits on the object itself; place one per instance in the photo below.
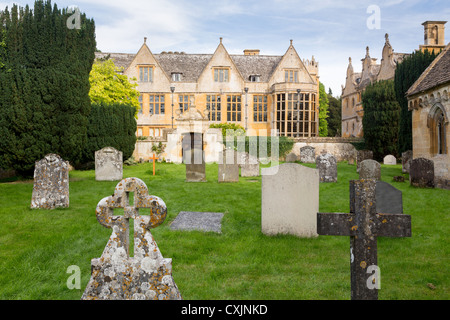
(356, 82)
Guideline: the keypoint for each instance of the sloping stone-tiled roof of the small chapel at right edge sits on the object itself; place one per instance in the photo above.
(437, 73)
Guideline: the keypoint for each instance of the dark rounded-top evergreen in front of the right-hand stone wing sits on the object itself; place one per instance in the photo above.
(381, 118)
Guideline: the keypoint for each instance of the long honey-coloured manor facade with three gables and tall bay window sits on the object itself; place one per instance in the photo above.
(257, 92)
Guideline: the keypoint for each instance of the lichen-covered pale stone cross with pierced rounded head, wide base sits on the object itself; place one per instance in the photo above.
(116, 275)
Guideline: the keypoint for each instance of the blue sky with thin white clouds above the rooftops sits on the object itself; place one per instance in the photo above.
(330, 30)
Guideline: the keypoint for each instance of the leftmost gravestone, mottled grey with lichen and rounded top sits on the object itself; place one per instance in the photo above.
(51, 183)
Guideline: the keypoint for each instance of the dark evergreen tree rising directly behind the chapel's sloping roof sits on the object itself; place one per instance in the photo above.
(406, 73)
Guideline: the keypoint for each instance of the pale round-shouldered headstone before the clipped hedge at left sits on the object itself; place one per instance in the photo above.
(108, 164)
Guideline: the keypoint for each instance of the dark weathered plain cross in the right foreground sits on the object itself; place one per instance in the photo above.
(364, 224)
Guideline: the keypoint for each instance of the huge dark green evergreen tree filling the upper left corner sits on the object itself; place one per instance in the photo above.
(44, 85)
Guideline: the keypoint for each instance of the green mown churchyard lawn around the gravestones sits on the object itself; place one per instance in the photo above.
(37, 246)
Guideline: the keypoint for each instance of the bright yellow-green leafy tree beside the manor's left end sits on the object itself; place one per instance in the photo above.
(109, 86)
